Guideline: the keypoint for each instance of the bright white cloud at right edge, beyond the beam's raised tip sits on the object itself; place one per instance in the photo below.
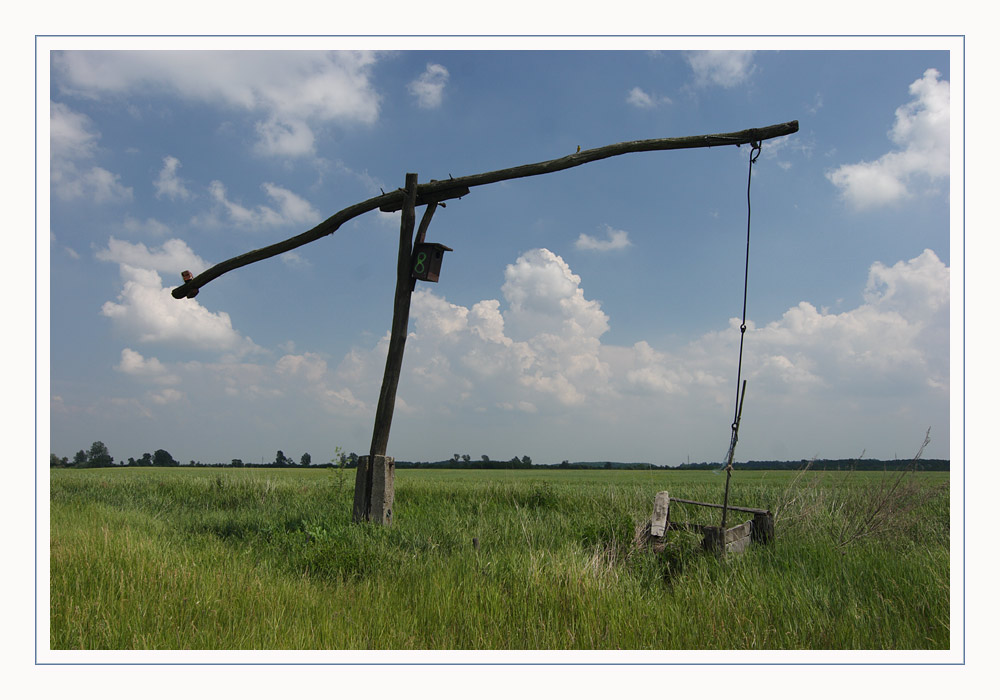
(922, 134)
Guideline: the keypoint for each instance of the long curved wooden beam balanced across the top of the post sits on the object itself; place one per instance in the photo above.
(437, 191)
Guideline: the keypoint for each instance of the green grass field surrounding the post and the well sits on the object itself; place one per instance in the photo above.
(178, 558)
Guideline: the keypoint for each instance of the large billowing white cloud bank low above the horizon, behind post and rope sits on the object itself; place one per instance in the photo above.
(540, 349)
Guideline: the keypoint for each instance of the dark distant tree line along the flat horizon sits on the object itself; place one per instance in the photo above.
(99, 456)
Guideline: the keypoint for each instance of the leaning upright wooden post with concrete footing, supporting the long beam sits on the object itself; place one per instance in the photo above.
(390, 379)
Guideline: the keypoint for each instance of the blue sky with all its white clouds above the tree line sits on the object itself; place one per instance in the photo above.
(583, 315)
